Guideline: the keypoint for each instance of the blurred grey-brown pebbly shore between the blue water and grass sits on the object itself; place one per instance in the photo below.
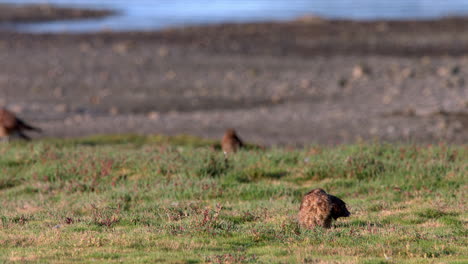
(304, 82)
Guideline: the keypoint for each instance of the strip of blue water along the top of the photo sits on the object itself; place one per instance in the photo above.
(157, 14)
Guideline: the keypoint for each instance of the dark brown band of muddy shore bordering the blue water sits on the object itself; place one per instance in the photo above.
(316, 37)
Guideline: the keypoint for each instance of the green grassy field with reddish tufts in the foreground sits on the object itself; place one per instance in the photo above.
(175, 200)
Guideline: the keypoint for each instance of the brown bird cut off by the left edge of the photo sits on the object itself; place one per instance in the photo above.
(11, 125)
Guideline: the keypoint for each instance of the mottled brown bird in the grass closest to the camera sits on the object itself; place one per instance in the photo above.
(319, 209)
